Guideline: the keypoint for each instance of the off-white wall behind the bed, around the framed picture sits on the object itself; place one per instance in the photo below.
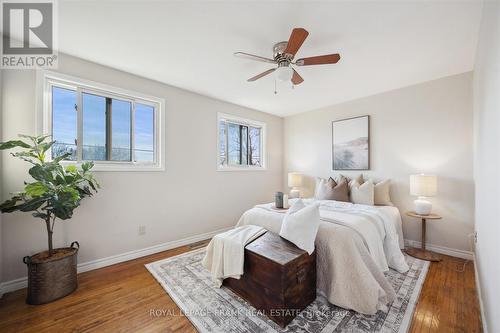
(422, 128)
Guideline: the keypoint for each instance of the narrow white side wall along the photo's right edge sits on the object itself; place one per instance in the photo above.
(487, 162)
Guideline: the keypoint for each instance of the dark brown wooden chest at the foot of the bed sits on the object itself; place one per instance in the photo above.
(279, 278)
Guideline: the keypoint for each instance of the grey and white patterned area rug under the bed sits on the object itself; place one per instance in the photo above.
(213, 309)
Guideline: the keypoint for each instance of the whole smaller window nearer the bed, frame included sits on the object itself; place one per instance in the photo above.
(240, 143)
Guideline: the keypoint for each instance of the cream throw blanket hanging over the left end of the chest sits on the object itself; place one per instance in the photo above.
(226, 252)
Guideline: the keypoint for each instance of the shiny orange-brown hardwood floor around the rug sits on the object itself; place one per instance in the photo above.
(120, 298)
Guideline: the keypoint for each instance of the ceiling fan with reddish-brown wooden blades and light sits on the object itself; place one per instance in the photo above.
(283, 54)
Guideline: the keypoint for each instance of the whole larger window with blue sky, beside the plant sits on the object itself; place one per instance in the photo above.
(118, 130)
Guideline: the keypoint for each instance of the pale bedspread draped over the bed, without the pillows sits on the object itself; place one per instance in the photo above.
(355, 245)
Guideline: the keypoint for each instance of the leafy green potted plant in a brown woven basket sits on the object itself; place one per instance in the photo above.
(54, 193)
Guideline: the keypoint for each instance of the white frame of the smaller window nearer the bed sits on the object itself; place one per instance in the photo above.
(263, 143)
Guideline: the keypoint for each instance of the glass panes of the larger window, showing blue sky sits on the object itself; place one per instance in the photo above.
(107, 125)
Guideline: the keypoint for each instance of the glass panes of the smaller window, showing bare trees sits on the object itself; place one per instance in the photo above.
(239, 144)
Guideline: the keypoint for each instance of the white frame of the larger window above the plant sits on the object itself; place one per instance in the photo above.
(47, 79)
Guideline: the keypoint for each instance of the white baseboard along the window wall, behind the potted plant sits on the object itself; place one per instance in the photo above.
(22, 282)
